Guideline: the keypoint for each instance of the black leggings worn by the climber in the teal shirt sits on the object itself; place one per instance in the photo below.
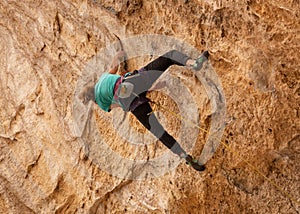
(142, 111)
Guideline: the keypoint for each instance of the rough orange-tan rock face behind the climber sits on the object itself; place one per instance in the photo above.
(50, 159)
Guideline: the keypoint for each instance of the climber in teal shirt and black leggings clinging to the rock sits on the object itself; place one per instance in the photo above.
(129, 93)
